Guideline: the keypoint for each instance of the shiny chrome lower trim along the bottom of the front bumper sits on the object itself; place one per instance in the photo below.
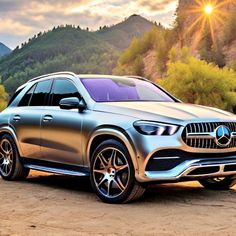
(186, 167)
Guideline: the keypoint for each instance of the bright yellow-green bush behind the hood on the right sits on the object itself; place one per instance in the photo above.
(196, 81)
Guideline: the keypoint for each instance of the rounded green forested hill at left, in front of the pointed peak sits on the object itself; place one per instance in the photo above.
(64, 48)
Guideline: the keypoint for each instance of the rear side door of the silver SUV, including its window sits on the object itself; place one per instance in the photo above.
(26, 118)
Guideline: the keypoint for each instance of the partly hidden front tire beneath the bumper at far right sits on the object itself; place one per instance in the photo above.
(224, 183)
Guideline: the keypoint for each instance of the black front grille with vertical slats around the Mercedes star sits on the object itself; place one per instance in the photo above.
(204, 129)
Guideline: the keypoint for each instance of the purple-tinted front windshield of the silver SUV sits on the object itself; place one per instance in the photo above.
(117, 89)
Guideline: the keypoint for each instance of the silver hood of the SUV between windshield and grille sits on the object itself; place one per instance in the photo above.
(172, 112)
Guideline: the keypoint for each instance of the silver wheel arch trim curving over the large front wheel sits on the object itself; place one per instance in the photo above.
(120, 135)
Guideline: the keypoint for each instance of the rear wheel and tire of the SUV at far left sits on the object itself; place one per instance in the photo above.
(10, 166)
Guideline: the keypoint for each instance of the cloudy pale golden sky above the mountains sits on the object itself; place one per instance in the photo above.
(21, 19)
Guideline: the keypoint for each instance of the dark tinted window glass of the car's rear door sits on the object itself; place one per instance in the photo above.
(41, 93)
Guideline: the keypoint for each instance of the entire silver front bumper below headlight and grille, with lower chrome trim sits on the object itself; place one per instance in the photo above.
(169, 159)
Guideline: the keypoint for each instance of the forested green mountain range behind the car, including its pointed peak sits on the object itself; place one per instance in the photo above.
(70, 48)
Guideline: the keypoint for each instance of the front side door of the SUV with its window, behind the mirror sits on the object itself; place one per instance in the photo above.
(61, 129)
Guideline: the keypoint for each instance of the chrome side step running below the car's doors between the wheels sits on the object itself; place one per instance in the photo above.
(55, 170)
